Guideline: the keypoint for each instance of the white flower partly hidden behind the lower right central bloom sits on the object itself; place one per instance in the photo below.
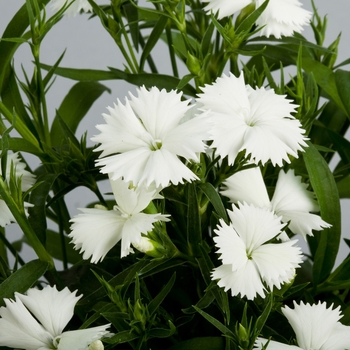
(291, 199)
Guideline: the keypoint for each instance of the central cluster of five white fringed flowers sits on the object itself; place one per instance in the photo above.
(151, 142)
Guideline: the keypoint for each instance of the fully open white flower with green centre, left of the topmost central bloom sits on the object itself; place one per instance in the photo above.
(144, 139)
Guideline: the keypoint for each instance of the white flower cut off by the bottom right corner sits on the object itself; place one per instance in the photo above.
(316, 327)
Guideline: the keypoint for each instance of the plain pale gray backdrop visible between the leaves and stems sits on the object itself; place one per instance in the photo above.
(88, 45)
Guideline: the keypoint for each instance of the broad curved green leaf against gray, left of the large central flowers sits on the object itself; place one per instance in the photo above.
(75, 106)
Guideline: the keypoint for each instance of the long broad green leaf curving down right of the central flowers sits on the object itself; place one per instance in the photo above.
(326, 241)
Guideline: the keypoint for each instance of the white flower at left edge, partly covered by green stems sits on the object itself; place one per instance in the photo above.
(27, 181)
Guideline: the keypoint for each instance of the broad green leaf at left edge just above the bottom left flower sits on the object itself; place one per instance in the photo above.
(23, 279)
